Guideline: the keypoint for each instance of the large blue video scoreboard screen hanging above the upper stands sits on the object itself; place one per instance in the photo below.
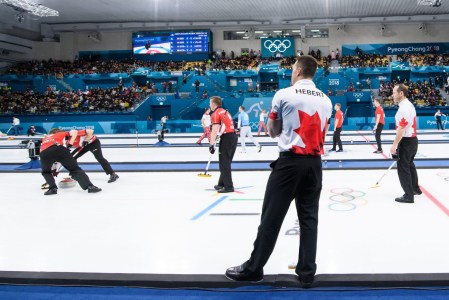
(174, 42)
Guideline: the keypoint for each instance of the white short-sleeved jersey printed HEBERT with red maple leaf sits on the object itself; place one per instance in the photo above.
(304, 111)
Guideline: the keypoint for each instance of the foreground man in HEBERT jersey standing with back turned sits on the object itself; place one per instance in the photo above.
(296, 174)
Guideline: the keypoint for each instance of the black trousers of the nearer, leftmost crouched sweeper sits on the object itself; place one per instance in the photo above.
(62, 154)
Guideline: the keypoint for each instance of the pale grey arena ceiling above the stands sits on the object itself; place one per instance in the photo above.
(131, 14)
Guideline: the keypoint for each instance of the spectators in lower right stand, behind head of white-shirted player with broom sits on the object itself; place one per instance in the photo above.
(421, 93)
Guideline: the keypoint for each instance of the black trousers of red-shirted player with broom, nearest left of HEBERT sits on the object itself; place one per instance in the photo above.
(226, 151)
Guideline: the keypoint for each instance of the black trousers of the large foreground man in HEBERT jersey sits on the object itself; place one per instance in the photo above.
(299, 178)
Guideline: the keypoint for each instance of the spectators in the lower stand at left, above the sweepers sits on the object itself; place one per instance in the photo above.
(94, 100)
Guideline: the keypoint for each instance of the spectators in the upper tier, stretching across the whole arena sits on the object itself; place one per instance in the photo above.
(61, 68)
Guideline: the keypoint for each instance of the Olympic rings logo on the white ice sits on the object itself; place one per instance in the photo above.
(346, 199)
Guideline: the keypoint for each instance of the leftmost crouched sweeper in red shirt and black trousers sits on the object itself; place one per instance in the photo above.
(53, 150)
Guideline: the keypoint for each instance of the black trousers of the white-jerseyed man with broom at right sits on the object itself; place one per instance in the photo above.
(408, 177)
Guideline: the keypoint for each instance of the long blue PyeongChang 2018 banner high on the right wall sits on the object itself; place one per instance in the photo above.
(395, 49)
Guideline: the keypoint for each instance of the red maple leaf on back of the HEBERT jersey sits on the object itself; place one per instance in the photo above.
(310, 133)
